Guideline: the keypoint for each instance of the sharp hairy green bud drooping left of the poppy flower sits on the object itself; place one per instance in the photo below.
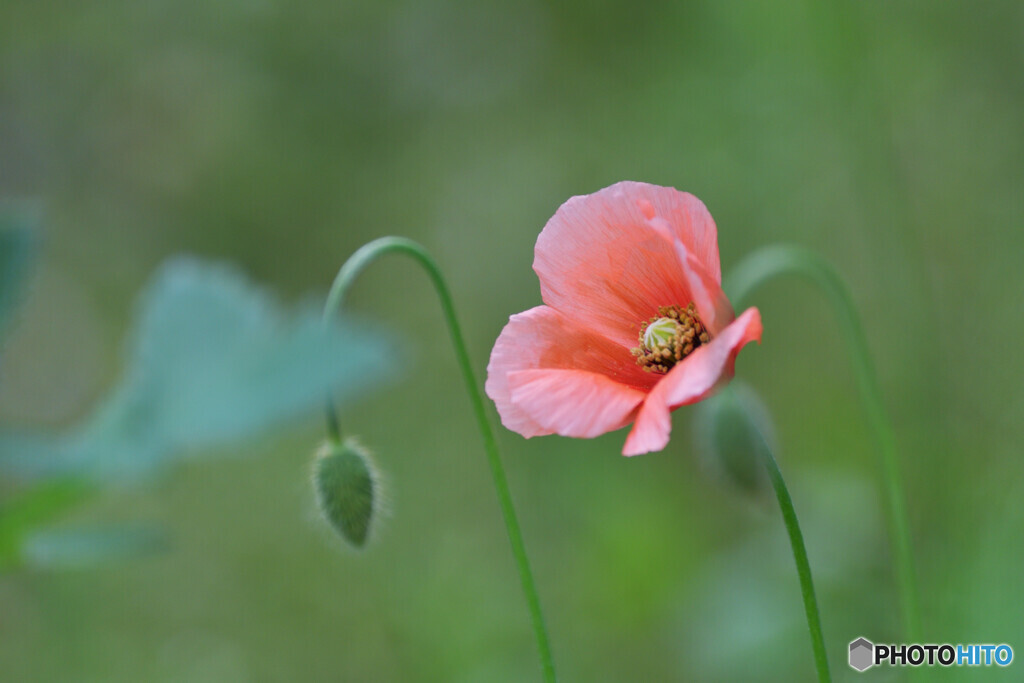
(348, 489)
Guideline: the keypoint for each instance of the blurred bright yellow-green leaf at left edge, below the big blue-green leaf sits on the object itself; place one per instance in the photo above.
(38, 505)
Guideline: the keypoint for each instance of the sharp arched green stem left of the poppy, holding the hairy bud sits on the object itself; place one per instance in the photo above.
(349, 273)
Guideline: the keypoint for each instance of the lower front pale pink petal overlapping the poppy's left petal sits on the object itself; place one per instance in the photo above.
(574, 403)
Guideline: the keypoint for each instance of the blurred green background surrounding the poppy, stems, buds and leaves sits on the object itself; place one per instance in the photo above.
(282, 136)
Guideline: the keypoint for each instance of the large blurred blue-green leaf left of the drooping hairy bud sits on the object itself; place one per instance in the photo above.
(211, 360)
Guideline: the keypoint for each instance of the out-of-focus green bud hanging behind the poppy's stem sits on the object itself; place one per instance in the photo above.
(729, 442)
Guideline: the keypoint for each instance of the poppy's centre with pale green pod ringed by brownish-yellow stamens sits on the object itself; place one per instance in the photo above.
(670, 338)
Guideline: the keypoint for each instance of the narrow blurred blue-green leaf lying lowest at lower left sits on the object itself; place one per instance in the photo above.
(82, 548)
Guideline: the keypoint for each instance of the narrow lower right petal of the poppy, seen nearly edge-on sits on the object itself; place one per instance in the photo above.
(691, 381)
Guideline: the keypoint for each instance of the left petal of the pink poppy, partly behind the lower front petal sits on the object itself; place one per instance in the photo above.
(543, 338)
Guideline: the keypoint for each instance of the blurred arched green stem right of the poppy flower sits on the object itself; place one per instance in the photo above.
(774, 262)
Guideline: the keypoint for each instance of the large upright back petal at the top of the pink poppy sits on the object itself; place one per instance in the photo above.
(610, 260)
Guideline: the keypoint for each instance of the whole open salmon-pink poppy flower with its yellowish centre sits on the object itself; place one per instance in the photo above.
(635, 323)
